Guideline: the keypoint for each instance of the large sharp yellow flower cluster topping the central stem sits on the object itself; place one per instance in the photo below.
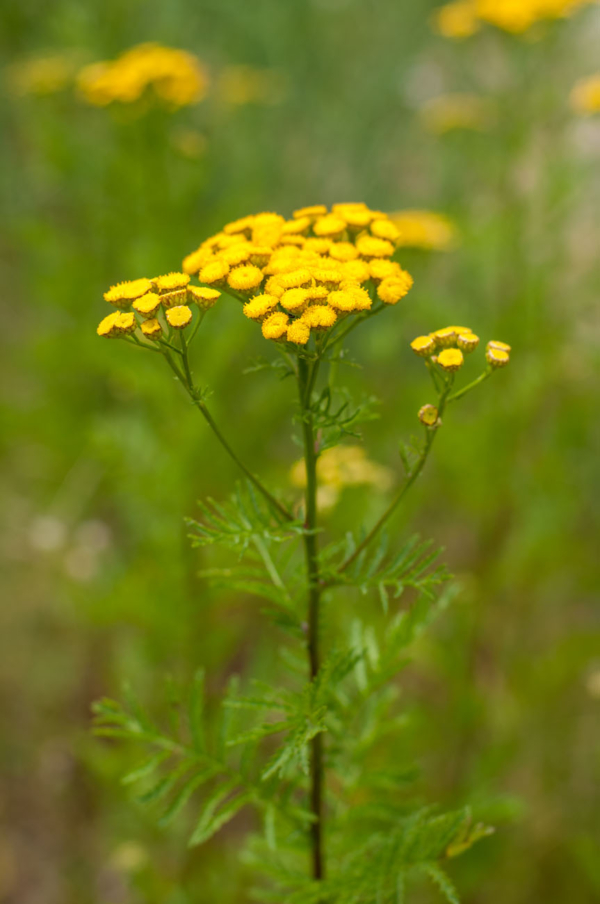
(301, 275)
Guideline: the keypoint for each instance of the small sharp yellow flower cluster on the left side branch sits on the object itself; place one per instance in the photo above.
(156, 305)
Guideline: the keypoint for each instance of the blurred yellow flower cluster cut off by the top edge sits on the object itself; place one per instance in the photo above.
(462, 18)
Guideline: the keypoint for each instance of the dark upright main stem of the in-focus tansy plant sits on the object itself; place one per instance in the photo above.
(306, 377)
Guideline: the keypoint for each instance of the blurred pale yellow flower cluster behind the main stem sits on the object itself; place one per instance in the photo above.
(339, 467)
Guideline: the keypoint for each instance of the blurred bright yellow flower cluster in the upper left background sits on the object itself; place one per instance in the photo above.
(177, 77)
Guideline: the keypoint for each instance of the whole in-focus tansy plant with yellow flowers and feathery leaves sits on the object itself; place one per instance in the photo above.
(317, 754)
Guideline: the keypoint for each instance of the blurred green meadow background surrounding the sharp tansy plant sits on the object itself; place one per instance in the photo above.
(102, 456)
